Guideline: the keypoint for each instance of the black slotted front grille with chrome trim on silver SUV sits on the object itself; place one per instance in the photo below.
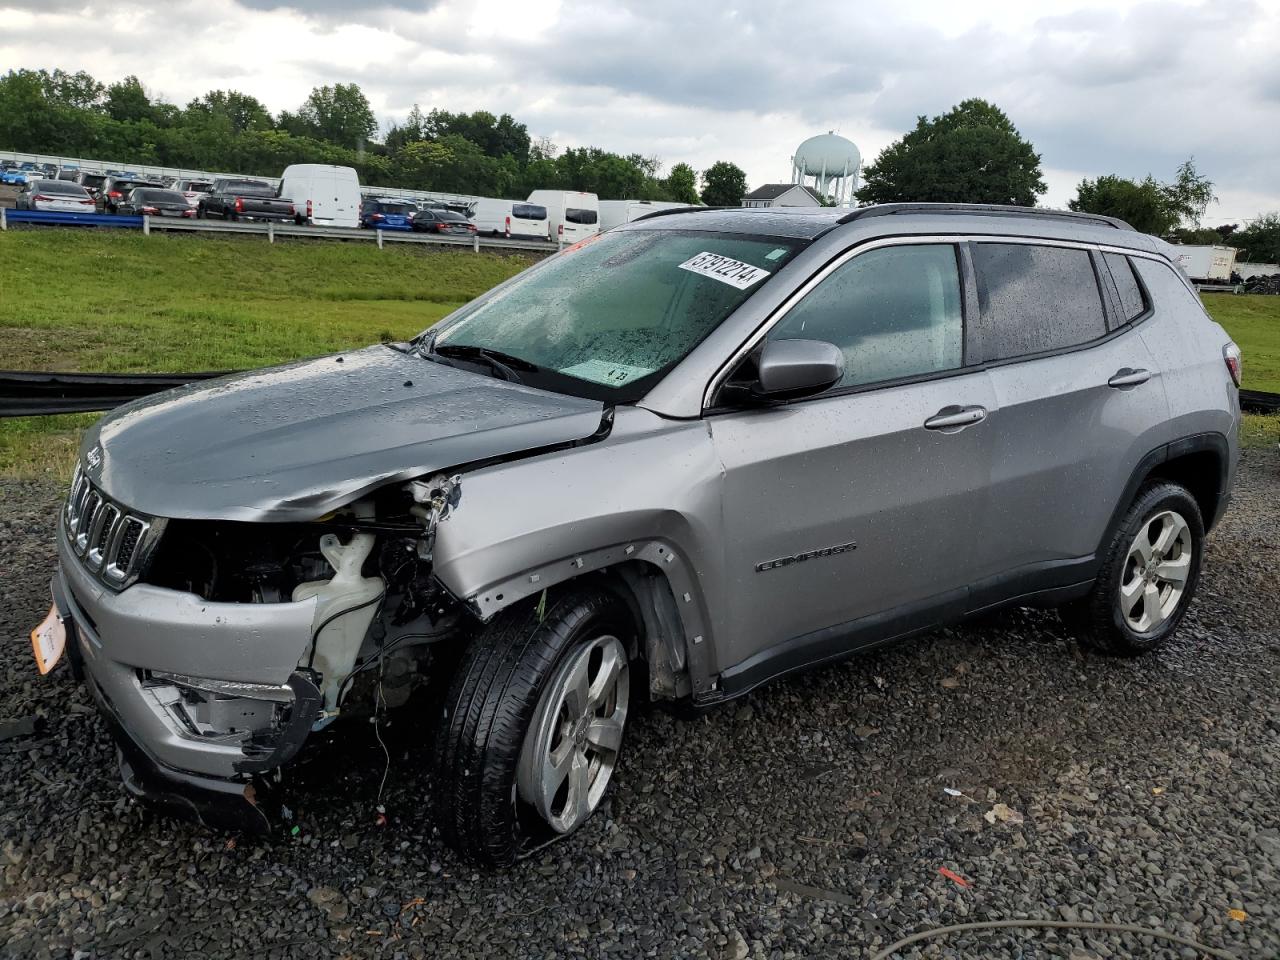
(111, 541)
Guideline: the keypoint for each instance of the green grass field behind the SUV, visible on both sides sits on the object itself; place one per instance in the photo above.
(98, 301)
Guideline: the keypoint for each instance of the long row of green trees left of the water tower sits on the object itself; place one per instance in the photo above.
(74, 115)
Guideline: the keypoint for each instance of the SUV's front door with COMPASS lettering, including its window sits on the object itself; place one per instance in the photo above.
(852, 515)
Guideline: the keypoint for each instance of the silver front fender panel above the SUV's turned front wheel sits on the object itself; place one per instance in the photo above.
(647, 499)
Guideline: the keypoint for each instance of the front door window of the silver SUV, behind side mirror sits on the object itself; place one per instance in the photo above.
(894, 313)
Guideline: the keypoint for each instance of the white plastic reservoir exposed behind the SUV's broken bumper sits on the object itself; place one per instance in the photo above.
(348, 607)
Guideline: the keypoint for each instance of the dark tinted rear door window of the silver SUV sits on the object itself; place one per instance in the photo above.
(1036, 299)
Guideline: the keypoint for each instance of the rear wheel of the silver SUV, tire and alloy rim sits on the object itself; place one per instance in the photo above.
(1149, 574)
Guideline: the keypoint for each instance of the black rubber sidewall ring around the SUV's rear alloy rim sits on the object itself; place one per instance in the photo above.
(1154, 501)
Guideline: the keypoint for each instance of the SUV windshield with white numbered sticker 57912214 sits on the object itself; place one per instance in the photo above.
(610, 317)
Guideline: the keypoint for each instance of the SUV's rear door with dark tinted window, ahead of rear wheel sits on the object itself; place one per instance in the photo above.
(1080, 401)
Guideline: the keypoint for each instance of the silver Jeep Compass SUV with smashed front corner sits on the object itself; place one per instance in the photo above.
(676, 461)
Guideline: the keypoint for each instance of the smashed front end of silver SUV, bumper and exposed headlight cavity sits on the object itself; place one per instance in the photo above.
(236, 641)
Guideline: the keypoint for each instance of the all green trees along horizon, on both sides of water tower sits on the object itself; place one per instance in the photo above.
(972, 154)
